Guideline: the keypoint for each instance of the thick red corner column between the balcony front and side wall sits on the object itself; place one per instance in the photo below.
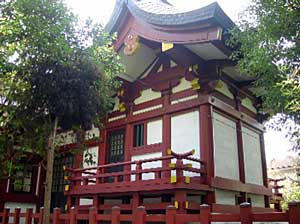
(206, 146)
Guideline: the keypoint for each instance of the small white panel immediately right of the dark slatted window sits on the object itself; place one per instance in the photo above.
(154, 132)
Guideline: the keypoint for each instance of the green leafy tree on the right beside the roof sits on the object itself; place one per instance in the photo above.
(267, 43)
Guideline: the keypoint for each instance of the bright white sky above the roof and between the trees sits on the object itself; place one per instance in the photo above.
(100, 10)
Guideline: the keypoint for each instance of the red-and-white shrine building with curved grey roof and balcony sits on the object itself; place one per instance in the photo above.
(180, 92)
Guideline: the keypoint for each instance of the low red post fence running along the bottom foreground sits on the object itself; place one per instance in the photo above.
(140, 216)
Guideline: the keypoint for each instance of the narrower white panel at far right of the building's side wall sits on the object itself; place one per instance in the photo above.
(252, 156)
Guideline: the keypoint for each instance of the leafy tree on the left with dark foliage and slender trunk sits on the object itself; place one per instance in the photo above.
(54, 72)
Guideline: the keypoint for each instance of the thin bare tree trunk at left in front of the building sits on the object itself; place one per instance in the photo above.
(49, 173)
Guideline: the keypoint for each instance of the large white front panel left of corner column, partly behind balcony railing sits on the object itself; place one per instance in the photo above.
(185, 136)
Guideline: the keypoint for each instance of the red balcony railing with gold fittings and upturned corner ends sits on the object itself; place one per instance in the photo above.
(103, 175)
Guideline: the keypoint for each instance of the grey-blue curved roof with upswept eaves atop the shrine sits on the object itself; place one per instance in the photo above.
(164, 16)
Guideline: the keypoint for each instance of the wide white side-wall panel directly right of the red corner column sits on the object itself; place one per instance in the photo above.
(225, 147)
